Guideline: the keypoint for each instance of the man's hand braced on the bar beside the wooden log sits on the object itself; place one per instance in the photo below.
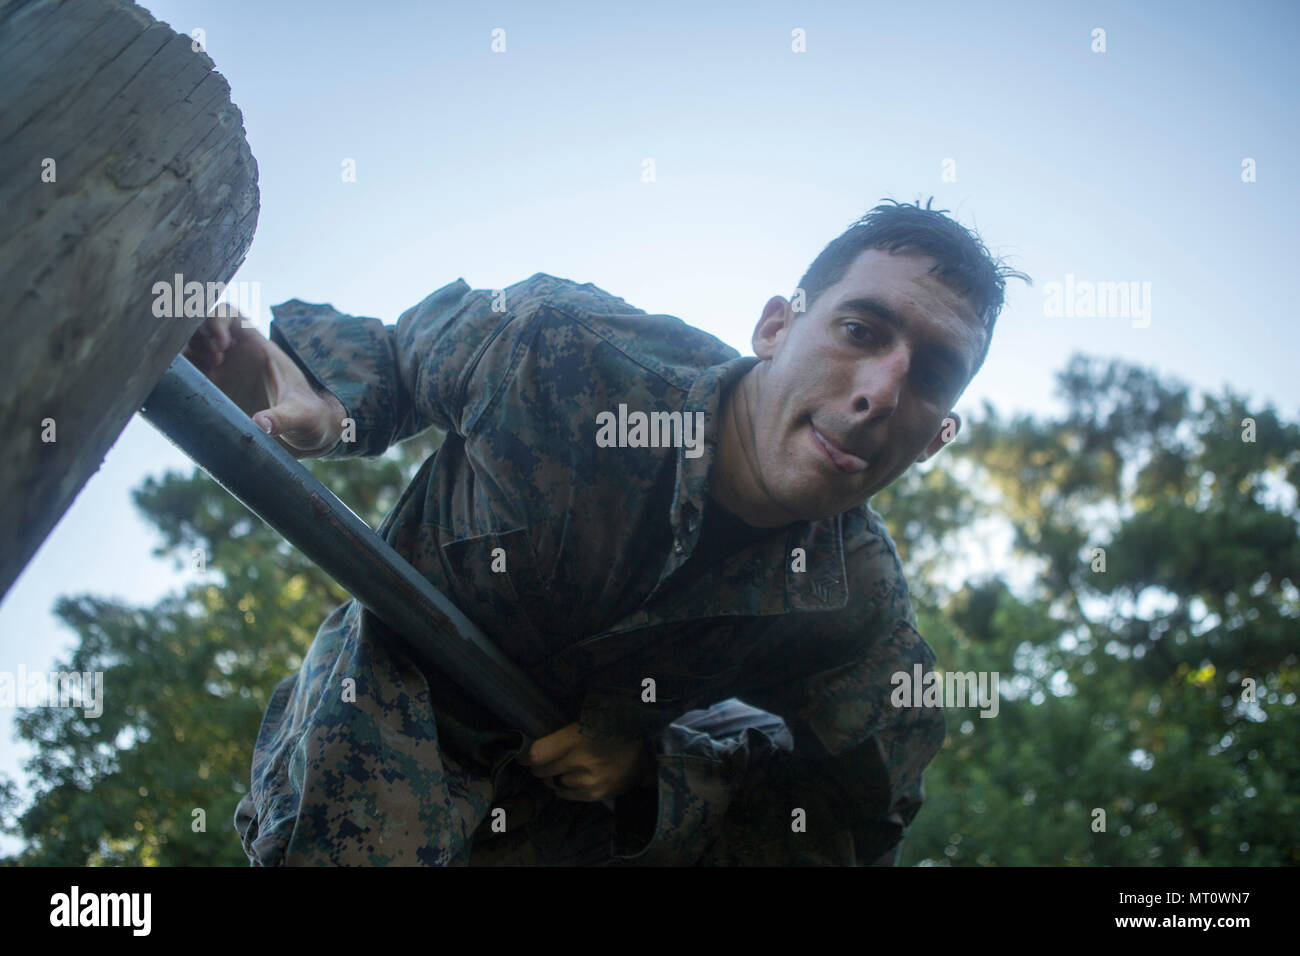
(258, 377)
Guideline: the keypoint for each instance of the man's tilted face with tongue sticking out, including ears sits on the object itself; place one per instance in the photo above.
(857, 390)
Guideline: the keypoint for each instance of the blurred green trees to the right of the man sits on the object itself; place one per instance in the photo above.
(1124, 689)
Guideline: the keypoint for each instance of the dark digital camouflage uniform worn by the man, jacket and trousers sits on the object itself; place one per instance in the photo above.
(808, 624)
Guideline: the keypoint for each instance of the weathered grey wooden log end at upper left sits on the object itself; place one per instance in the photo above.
(123, 165)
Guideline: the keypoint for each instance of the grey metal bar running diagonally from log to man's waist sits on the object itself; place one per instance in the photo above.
(200, 419)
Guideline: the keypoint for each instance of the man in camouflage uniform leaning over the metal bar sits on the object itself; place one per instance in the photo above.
(709, 595)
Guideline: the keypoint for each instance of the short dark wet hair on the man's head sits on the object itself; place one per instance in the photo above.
(964, 263)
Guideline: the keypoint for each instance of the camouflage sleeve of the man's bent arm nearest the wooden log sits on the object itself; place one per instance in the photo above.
(393, 380)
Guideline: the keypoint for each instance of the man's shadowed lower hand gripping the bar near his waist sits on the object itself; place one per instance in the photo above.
(579, 768)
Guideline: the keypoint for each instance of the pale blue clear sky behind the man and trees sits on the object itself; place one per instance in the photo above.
(1124, 166)
